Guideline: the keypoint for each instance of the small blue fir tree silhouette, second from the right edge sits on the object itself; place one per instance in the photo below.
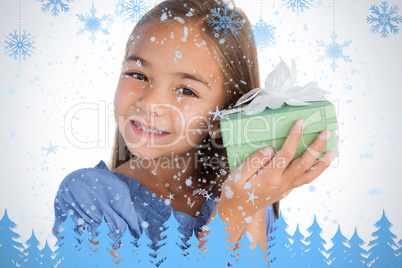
(356, 257)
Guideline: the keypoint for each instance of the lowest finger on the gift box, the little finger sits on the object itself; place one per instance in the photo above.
(314, 171)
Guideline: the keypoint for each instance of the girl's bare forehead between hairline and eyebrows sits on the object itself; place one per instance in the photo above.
(178, 45)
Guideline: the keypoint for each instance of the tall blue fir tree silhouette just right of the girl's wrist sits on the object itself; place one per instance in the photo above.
(278, 252)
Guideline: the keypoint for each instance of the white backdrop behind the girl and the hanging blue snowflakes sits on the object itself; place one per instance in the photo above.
(67, 70)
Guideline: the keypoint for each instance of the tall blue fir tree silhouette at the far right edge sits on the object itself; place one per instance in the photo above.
(382, 254)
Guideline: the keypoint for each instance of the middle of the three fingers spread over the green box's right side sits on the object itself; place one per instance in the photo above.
(309, 157)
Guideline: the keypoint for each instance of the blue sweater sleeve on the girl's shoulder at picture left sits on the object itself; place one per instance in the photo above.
(91, 195)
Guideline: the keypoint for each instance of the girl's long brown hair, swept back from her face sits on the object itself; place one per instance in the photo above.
(237, 57)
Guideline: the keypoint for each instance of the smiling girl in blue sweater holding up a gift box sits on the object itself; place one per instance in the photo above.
(179, 69)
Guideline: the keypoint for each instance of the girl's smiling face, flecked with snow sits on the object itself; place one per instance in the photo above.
(171, 82)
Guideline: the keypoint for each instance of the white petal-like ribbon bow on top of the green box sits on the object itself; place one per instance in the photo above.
(279, 89)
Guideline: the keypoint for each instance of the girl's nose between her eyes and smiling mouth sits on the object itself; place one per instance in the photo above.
(150, 101)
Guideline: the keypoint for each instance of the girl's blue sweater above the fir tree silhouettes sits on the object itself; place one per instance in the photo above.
(89, 194)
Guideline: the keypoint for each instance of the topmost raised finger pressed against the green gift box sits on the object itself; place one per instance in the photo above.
(286, 153)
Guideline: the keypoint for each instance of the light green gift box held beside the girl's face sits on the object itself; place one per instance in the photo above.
(243, 135)
